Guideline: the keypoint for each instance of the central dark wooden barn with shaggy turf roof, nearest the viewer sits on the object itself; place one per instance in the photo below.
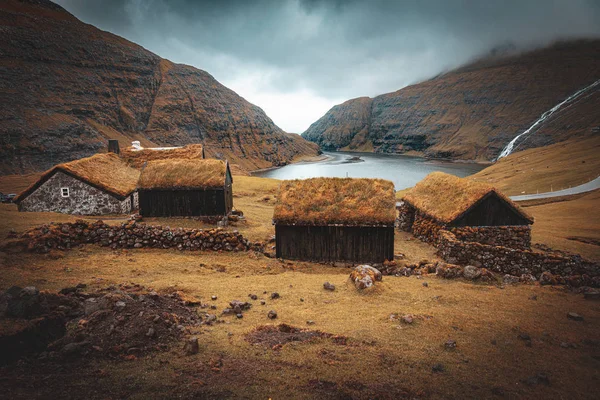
(334, 219)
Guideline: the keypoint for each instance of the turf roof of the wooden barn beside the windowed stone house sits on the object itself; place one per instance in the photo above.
(184, 174)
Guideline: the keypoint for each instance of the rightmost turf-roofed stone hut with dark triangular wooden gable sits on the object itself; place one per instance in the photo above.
(472, 211)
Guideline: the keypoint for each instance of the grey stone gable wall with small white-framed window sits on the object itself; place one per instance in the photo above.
(83, 199)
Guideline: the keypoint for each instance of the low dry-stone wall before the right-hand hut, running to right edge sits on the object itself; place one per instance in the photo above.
(512, 261)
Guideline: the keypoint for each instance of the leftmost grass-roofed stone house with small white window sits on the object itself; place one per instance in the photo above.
(101, 184)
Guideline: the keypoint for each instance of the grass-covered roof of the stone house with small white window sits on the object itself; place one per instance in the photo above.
(107, 172)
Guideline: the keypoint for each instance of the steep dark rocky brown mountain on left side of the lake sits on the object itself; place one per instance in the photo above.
(67, 87)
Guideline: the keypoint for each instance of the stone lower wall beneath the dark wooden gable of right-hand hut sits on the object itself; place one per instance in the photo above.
(515, 237)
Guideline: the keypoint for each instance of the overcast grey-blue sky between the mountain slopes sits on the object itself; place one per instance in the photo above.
(298, 58)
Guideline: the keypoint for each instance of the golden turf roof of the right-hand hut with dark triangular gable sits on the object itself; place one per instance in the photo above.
(446, 197)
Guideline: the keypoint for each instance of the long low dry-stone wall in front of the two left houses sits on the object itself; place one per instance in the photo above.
(64, 236)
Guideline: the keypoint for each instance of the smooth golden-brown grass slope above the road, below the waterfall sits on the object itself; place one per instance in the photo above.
(555, 167)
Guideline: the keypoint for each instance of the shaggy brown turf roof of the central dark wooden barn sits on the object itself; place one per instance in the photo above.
(329, 201)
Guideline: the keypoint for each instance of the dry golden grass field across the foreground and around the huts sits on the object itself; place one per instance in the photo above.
(382, 357)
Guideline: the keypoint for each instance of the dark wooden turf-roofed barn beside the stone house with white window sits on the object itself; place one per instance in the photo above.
(185, 187)
